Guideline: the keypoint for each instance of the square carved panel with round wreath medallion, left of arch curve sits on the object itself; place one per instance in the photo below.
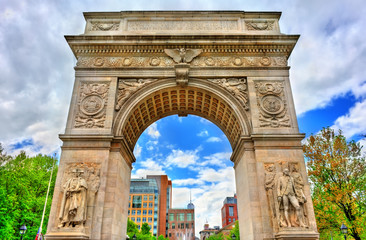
(91, 105)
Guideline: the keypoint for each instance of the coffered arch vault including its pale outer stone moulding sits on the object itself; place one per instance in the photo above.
(164, 98)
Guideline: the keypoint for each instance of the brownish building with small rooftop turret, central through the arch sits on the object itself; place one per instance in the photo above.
(181, 224)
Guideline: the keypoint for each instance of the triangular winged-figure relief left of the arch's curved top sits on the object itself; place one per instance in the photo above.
(126, 87)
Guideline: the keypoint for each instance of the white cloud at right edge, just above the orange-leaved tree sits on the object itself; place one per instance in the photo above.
(353, 122)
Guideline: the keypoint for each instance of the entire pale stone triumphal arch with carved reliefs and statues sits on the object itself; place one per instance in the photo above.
(134, 68)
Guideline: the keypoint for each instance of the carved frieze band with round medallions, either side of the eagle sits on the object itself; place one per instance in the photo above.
(125, 62)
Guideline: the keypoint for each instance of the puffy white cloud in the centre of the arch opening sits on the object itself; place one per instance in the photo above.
(181, 158)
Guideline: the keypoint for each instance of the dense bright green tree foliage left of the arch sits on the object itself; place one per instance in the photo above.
(24, 182)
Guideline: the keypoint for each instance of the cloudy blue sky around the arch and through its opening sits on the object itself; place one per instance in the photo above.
(327, 75)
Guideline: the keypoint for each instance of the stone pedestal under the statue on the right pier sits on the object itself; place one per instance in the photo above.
(297, 234)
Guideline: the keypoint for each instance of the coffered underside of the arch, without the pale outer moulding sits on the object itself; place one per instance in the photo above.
(181, 101)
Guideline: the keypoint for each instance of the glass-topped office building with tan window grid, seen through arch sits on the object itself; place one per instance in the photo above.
(144, 203)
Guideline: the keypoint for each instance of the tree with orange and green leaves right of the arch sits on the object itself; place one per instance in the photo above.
(337, 172)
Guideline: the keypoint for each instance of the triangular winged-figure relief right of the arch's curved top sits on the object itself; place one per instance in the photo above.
(237, 87)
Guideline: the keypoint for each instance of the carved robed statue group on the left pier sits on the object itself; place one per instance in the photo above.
(80, 185)
